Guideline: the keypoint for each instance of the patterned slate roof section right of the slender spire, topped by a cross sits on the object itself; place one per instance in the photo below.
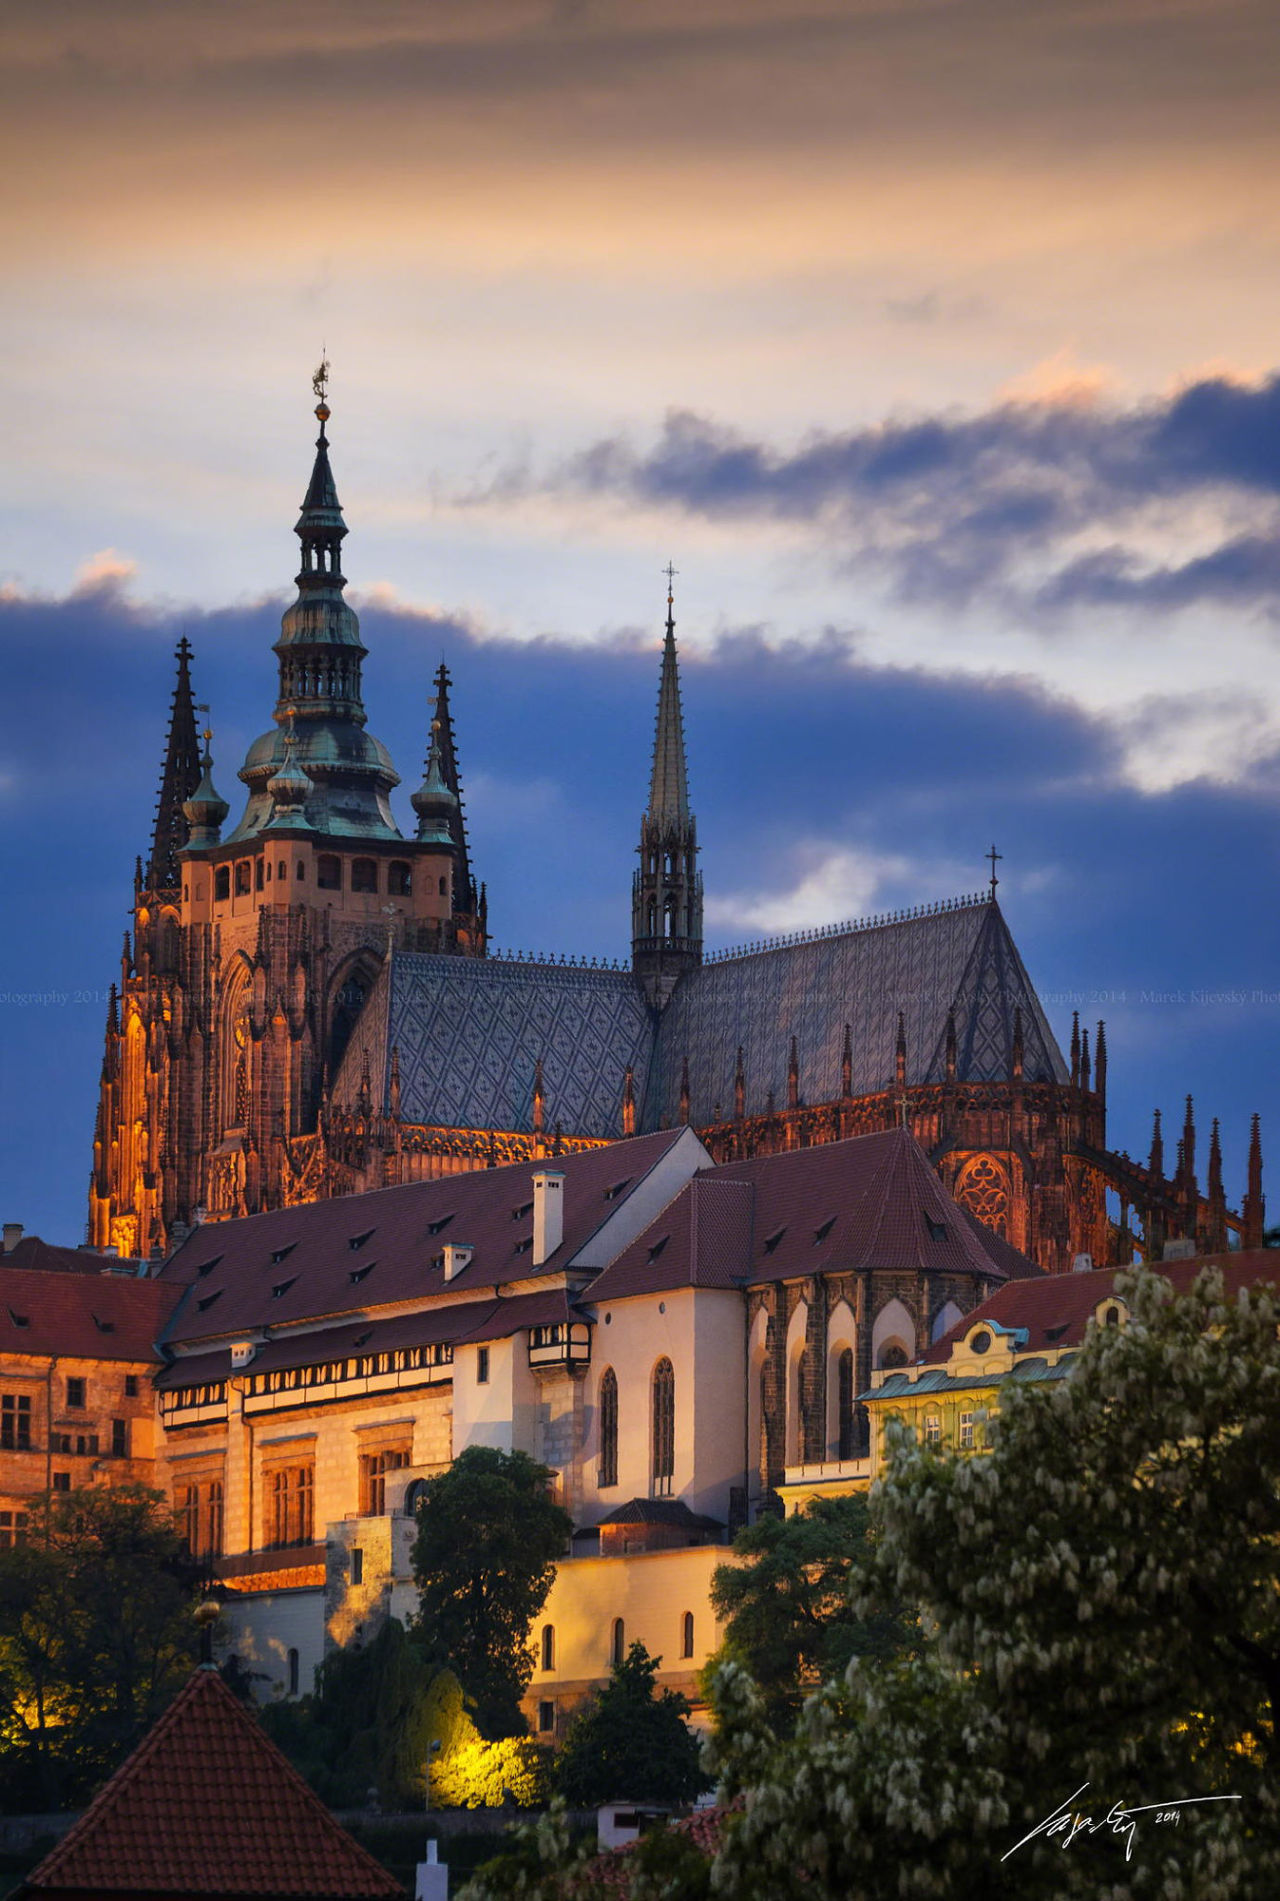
(956, 959)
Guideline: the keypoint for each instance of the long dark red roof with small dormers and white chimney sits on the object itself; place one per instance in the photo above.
(298, 1263)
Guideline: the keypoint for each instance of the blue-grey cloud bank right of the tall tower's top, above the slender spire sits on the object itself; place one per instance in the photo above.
(1001, 503)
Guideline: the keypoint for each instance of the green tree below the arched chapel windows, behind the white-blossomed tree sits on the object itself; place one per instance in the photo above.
(786, 1605)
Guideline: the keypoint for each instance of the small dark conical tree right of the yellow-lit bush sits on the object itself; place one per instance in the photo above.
(630, 1742)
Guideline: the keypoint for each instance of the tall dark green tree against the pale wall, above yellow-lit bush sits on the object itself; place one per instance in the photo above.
(490, 1535)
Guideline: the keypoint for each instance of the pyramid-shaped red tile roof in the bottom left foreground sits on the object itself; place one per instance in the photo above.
(206, 1807)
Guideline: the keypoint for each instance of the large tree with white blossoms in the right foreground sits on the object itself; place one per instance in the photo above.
(1104, 1590)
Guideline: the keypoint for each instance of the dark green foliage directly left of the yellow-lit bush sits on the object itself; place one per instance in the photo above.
(366, 1727)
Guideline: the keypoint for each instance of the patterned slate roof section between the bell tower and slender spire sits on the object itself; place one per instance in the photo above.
(469, 1033)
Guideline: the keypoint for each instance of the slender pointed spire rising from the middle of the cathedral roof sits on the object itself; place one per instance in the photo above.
(667, 893)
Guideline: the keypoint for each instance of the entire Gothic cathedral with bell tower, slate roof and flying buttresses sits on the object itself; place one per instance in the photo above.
(311, 1007)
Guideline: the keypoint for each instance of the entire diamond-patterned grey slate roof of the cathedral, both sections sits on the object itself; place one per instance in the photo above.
(469, 1031)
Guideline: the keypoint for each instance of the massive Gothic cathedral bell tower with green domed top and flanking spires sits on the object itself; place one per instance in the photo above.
(256, 950)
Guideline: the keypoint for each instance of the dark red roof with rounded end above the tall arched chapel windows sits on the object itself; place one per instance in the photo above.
(859, 1204)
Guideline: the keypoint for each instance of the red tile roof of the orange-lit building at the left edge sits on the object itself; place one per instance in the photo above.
(83, 1316)
